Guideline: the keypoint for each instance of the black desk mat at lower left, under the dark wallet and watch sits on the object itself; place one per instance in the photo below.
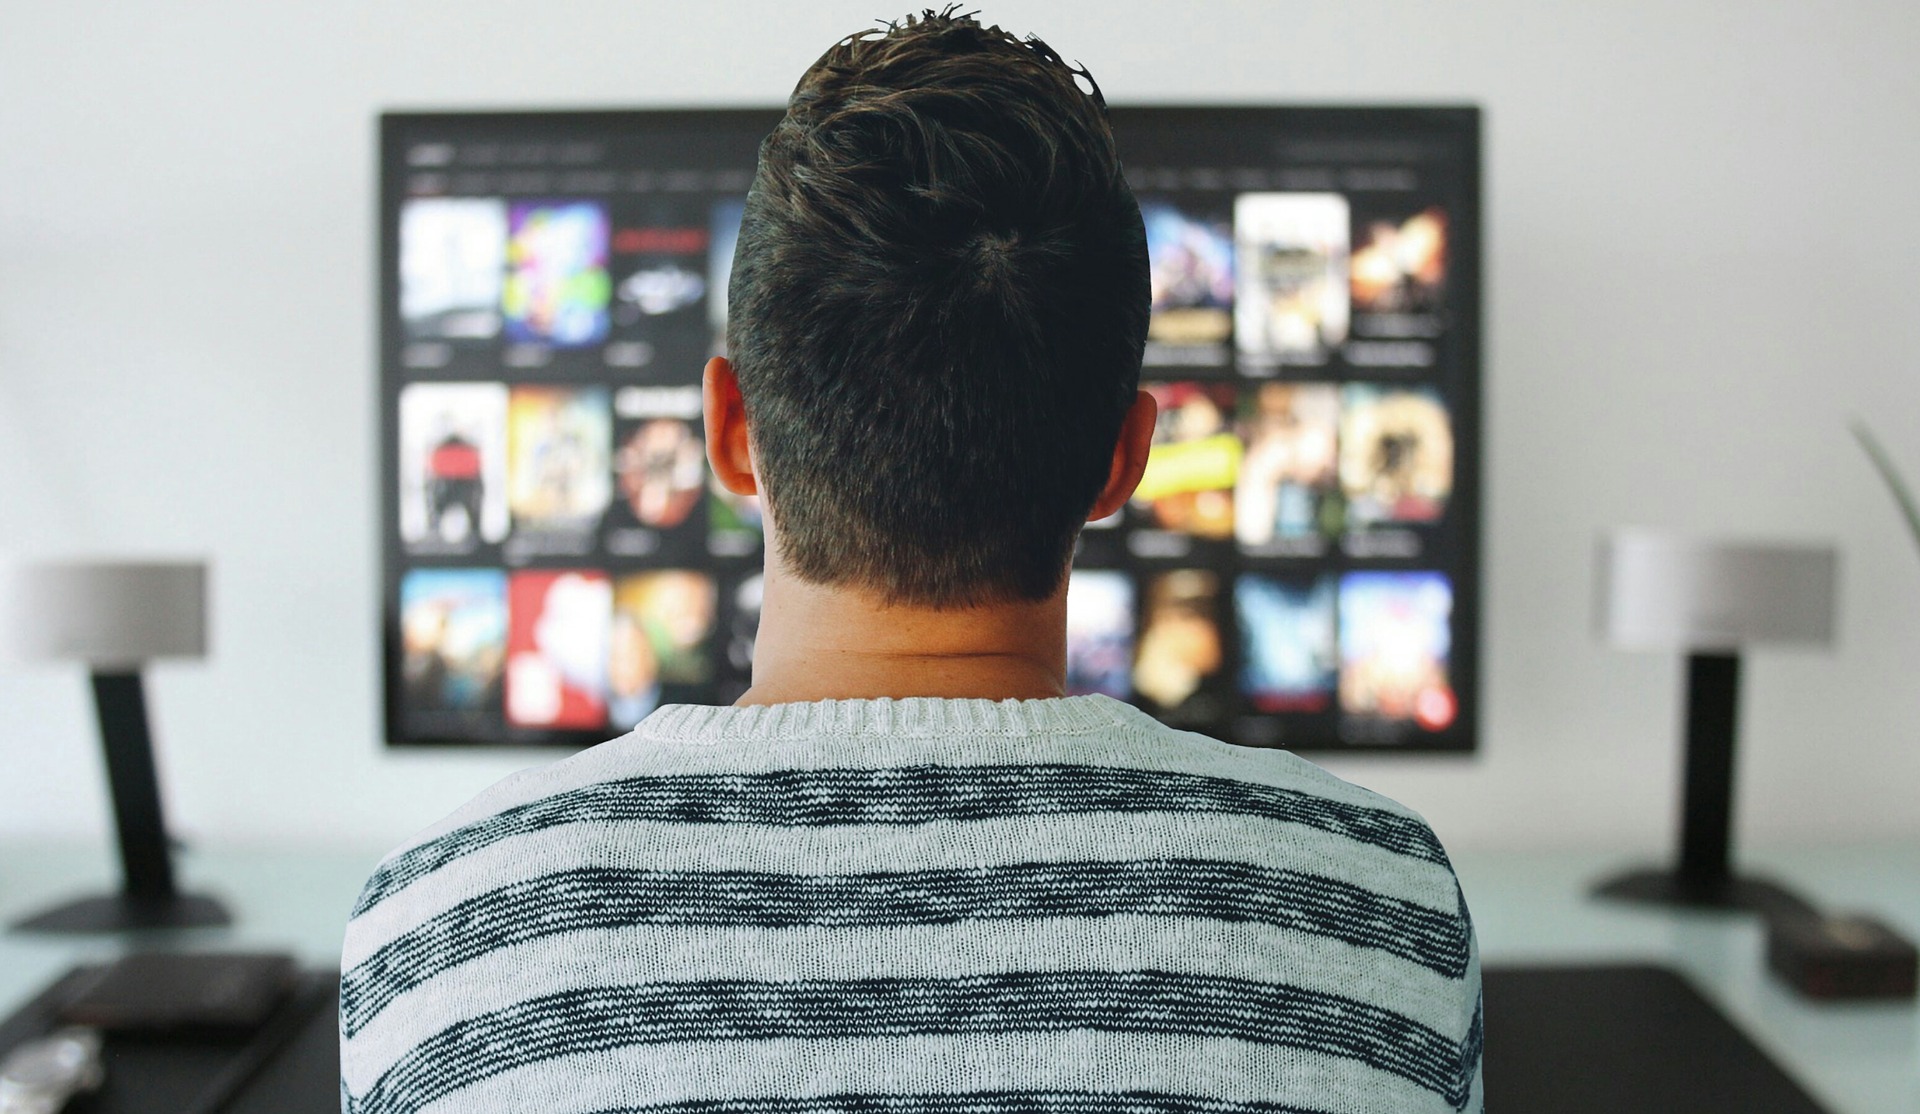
(291, 1067)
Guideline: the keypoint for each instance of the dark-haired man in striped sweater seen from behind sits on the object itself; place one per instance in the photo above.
(907, 875)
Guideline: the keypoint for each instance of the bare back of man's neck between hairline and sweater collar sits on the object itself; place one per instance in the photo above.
(821, 642)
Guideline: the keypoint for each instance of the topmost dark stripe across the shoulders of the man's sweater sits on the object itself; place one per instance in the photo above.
(905, 796)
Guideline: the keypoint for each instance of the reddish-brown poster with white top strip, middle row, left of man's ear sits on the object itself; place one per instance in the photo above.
(661, 458)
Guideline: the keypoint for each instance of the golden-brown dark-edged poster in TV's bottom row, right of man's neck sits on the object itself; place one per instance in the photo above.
(1180, 666)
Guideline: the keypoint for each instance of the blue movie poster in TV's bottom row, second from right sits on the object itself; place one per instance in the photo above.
(1289, 654)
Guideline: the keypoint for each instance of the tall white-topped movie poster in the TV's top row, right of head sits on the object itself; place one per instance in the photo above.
(1291, 278)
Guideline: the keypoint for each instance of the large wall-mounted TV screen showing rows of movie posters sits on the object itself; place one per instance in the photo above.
(1299, 568)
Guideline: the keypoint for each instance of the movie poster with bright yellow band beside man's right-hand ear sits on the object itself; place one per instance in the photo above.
(1195, 462)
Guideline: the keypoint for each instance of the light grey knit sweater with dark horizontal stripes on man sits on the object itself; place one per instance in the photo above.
(915, 908)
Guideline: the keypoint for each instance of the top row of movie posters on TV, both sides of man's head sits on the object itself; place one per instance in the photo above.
(1260, 281)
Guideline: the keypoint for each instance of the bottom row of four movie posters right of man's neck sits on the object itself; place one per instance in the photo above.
(1366, 650)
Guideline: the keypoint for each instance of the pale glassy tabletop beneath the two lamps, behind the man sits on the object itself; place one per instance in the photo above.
(1529, 908)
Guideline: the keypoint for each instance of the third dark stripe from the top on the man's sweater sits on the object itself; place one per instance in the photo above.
(1151, 1004)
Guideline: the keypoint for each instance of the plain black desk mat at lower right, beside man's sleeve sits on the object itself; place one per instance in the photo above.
(1575, 1040)
